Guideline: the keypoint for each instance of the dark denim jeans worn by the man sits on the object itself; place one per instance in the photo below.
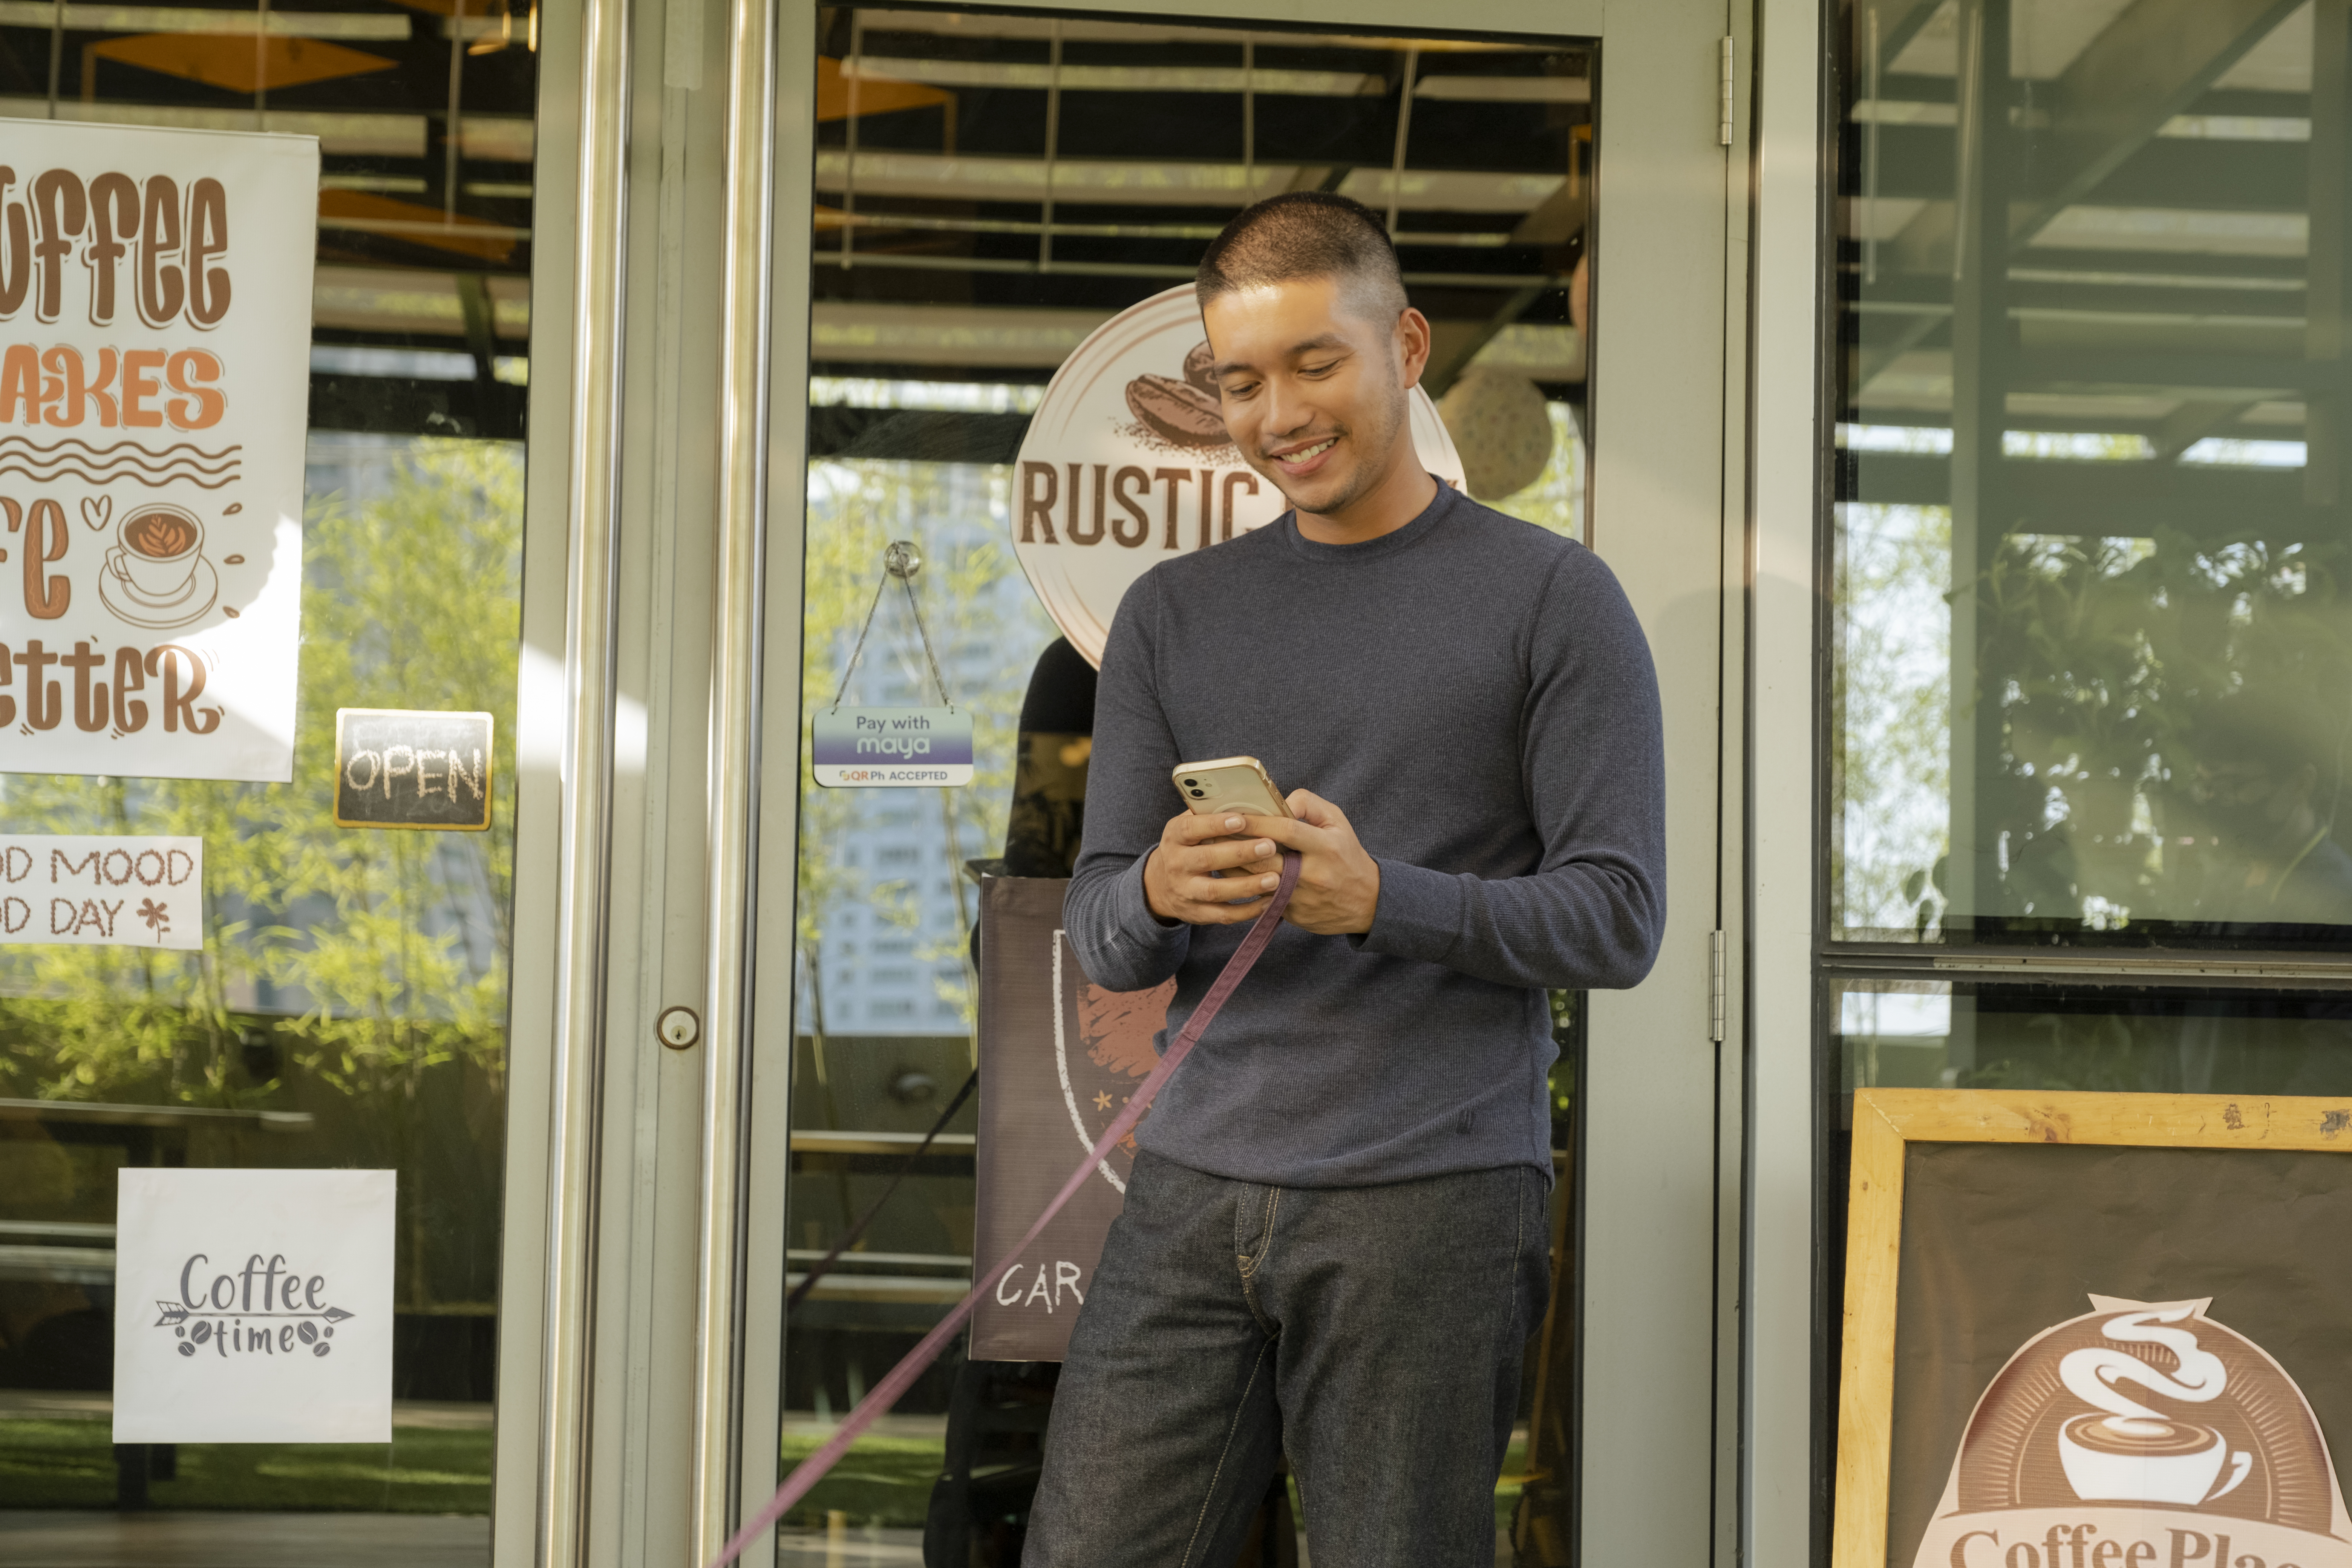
(1368, 1332)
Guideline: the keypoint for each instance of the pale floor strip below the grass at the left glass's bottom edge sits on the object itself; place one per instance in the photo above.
(241, 1541)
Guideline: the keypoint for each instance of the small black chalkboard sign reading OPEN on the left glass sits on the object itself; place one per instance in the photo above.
(413, 770)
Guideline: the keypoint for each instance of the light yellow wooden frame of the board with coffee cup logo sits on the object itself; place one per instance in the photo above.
(1890, 1120)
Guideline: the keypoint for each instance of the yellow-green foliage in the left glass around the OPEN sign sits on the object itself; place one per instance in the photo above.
(408, 603)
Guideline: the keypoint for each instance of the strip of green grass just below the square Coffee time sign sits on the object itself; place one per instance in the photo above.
(62, 1463)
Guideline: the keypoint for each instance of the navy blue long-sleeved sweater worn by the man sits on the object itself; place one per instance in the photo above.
(1478, 697)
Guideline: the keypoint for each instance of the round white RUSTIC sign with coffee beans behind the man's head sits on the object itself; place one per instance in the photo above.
(1128, 462)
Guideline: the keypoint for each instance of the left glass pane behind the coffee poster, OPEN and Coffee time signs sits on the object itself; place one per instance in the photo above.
(349, 1003)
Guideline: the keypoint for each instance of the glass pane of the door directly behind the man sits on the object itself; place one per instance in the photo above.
(947, 295)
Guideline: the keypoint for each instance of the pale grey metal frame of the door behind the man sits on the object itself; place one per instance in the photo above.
(1664, 1132)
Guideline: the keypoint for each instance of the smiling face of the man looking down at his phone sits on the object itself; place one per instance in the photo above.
(1314, 391)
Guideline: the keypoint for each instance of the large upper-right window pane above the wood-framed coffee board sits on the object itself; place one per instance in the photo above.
(2092, 636)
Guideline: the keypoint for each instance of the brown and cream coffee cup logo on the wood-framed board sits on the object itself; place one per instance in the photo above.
(2141, 1435)
